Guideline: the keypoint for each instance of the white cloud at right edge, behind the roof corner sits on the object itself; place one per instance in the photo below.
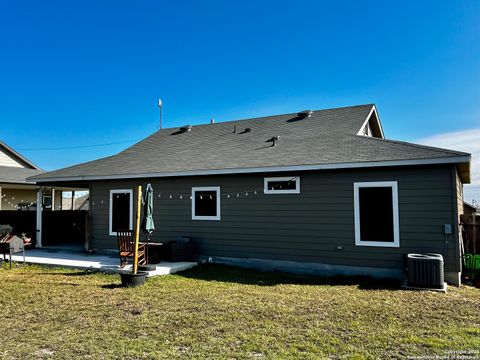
(467, 141)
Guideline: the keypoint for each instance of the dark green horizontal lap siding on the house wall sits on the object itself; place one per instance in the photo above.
(300, 227)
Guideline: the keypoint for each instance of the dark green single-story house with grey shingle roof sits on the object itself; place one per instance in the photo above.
(321, 192)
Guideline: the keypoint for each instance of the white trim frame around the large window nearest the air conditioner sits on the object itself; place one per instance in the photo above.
(396, 227)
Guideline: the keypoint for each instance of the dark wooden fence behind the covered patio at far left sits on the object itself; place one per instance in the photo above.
(69, 227)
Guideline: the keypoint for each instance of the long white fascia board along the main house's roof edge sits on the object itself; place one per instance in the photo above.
(333, 166)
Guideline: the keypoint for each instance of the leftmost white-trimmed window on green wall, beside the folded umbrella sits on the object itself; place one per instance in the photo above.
(121, 211)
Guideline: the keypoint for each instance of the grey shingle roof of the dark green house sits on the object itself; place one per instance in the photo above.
(326, 140)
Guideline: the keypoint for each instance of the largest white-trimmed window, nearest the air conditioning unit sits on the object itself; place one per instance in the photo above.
(376, 214)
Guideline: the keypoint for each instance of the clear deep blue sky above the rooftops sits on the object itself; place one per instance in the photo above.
(75, 73)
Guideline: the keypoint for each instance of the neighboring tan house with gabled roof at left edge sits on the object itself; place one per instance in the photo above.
(15, 191)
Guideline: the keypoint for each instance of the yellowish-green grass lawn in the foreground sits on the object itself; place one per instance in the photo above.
(226, 312)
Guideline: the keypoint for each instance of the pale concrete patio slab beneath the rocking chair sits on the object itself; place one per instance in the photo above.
(103, 263)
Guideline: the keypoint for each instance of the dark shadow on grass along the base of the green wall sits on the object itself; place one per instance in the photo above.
(232, 274)
